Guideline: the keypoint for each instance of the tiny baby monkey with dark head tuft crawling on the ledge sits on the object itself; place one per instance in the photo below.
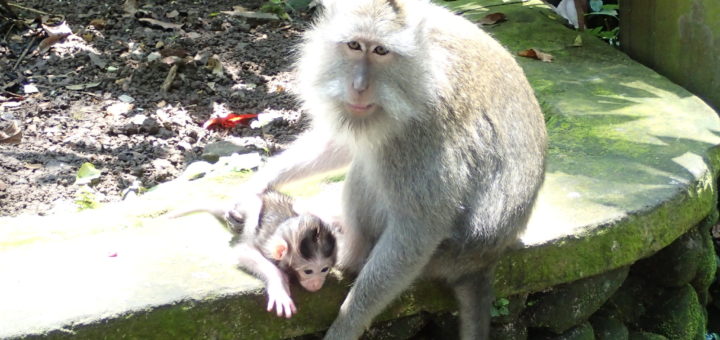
(284, 245)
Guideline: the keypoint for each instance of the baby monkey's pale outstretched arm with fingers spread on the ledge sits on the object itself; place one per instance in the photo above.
(276, 281)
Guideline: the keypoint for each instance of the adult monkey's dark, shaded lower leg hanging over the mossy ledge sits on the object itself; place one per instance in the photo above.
(474, 296)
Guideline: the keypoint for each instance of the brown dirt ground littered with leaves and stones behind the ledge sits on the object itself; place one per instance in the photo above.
(92, 91)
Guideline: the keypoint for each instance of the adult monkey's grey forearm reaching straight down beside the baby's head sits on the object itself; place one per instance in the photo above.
(396, 260)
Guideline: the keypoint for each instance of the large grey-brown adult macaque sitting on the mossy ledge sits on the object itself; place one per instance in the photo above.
(445, 144)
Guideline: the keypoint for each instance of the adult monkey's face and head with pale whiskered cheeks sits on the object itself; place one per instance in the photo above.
(361, 69)
